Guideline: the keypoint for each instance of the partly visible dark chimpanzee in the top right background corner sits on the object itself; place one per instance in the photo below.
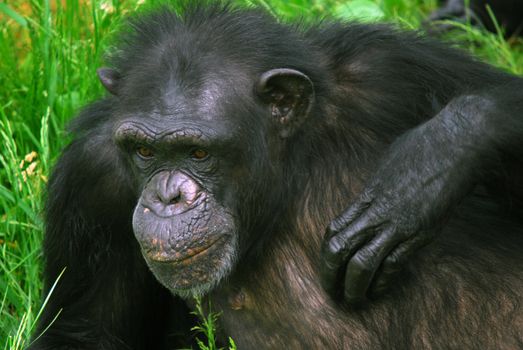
(508, 14)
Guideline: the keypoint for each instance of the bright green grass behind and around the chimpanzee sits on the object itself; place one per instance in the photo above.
(49, 52)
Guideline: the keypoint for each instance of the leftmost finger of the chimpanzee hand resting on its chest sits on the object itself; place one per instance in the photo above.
(336, 251)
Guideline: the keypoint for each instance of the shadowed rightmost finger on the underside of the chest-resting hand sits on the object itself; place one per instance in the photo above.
(394, 263)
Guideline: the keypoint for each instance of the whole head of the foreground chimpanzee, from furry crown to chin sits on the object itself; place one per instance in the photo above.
(201, 128)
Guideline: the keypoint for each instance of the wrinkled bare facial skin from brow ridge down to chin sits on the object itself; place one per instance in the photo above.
(187, 236)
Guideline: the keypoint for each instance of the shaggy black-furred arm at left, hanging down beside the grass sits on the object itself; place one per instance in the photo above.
(106, 298)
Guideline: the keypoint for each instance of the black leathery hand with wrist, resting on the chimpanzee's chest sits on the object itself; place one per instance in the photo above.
(423, 175)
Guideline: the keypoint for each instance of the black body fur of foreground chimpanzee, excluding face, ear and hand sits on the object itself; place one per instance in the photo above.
(372, 84)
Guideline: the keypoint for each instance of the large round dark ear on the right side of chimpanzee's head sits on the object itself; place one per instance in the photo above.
(289, 94)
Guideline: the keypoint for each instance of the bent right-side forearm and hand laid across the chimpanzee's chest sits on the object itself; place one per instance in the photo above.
(424, 175)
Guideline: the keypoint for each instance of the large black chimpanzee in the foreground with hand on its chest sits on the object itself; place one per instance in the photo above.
(230, 141)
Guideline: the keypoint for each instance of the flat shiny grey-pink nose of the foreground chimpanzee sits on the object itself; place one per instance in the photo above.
(170, 193)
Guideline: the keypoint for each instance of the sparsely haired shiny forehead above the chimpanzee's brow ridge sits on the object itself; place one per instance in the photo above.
(214, 102)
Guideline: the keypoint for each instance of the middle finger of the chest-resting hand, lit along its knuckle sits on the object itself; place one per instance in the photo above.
(362, 267)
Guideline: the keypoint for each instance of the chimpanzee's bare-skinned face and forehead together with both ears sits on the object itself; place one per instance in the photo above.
(190, 170)
